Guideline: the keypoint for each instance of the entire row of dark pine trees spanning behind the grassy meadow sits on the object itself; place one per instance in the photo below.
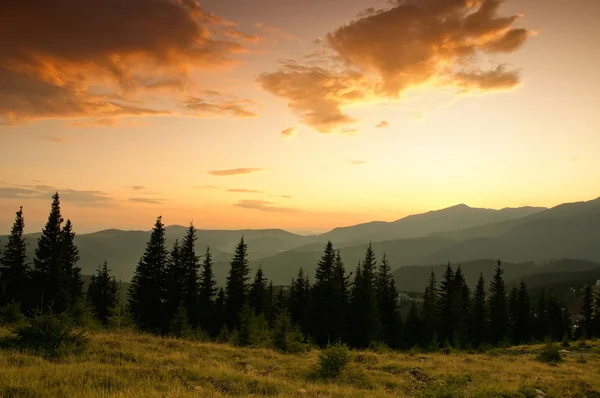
(174, 291)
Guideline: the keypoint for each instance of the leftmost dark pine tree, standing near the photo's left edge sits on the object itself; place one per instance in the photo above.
(14, 269)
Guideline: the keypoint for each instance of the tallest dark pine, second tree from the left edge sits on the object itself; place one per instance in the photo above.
(48, 282)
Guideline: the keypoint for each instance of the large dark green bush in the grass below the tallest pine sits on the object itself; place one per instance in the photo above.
(50, 336)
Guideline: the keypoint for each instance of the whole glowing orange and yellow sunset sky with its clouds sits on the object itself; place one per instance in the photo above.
(296, 114)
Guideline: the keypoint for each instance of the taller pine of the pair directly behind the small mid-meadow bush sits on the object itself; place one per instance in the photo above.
(322, 305)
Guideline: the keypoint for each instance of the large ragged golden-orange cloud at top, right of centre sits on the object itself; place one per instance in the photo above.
(382, 53)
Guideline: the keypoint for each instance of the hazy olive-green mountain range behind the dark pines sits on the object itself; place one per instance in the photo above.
(459, 234)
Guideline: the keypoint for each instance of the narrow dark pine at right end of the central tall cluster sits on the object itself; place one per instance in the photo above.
(387, 299)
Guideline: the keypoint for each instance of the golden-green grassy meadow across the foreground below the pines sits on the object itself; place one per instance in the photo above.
(123, 364)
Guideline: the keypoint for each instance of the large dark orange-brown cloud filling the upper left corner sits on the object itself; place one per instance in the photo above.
(105, 55)
